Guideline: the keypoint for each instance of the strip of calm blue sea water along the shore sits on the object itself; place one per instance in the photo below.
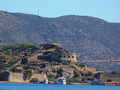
(22, 86)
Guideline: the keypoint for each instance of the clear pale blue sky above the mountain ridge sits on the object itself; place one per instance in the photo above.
(108, 10)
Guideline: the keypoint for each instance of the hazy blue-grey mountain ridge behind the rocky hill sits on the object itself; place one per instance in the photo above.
(91, 38)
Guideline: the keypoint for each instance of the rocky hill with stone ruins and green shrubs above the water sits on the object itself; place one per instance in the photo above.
(29, 63)
